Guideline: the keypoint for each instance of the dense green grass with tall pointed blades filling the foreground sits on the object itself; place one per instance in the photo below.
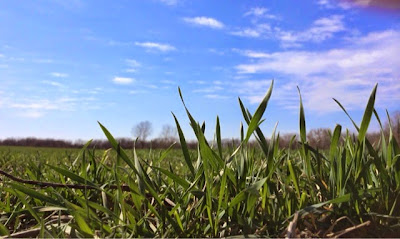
(211, 192)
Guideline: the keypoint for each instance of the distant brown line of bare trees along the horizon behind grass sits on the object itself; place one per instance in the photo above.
(317, 138)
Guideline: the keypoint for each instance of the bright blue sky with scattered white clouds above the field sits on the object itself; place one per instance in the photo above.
(66, 64)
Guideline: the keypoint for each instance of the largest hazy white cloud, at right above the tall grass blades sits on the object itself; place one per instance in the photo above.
(348, 74)
